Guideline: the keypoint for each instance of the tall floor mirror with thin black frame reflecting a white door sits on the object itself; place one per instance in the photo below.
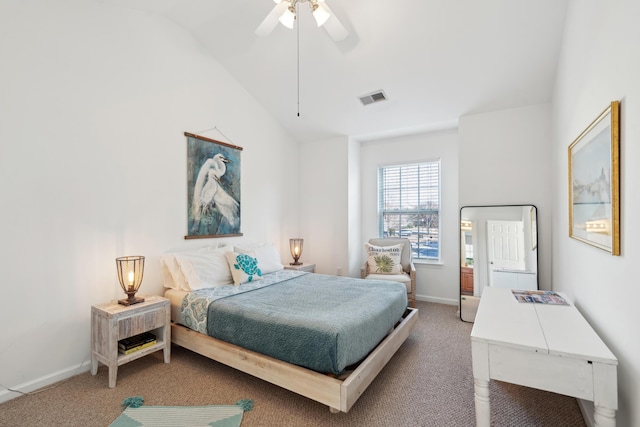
(499, 248)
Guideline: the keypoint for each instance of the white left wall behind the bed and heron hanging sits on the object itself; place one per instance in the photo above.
(95, 100)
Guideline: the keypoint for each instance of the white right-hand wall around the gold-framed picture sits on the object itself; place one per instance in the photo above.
(599, 63)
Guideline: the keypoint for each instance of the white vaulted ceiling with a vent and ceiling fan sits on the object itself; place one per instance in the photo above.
(436, 60)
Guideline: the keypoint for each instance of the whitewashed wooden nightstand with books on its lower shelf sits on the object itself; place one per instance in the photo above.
(111, 322)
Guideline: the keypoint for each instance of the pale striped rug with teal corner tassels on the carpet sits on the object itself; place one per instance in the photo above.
(181, 416)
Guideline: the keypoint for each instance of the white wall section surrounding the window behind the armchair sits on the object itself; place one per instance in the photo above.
(434, 282)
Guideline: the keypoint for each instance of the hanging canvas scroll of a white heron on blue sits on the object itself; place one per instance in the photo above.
(213, 188)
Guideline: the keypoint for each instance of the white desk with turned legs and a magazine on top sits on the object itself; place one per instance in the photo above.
(548, 347)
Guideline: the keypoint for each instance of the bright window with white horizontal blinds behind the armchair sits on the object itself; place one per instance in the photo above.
(409, 206)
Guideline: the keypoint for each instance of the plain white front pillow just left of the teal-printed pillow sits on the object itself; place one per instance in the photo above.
(205, 269)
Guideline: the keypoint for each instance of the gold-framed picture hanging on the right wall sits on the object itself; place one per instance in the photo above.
(594, 182)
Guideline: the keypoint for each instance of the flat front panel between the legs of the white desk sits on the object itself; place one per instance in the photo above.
(557, 374)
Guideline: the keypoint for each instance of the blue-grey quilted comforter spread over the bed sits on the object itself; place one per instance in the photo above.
(324, 323)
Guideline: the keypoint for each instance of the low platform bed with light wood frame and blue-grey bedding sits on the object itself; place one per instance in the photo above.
(301, 331)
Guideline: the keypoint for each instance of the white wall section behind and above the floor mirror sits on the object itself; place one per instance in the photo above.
(504, 160)
